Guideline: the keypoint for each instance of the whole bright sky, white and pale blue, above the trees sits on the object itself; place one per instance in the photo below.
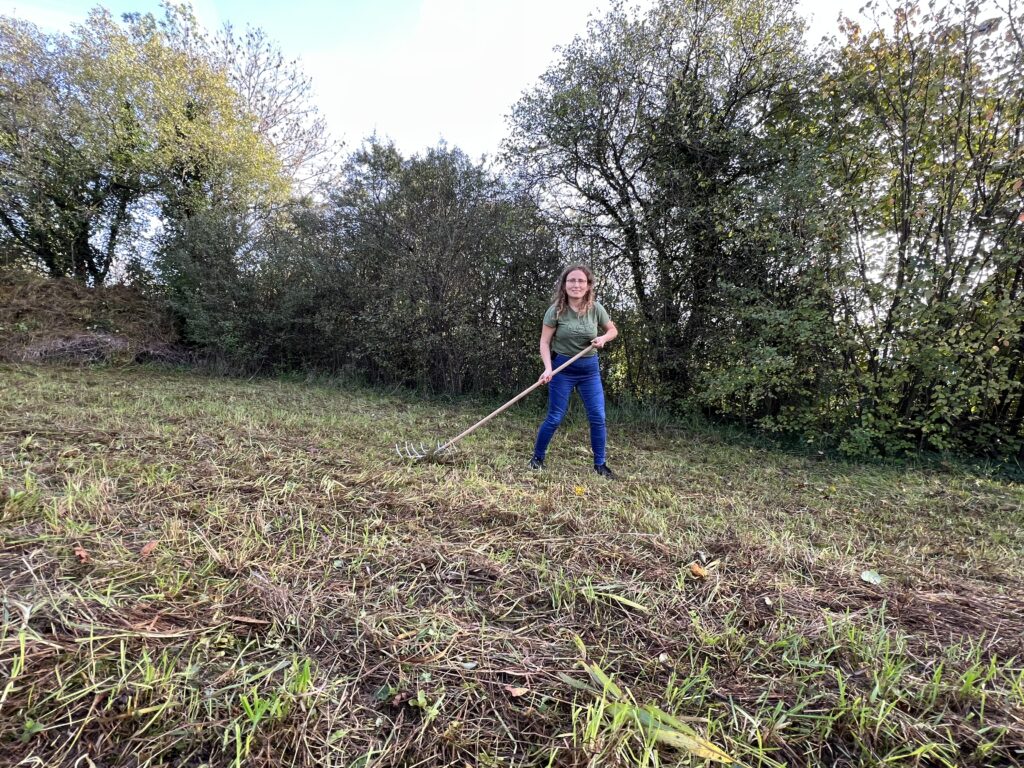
(413, 71)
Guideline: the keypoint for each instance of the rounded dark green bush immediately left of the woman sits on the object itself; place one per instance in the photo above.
(454, 269)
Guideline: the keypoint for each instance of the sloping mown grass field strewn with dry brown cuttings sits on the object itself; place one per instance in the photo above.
(209, 572)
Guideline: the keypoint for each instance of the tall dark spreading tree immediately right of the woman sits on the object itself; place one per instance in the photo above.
(672, 139)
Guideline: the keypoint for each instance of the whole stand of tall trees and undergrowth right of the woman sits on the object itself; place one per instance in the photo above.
(824, 247)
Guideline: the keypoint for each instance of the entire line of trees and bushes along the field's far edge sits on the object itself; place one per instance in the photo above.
(821, 243)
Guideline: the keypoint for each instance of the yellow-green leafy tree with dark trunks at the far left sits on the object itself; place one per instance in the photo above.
(103, 130)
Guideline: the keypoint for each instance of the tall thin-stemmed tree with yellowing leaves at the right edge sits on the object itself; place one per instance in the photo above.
(927, 161)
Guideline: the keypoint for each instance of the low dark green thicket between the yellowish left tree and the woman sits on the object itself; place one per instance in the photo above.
(428, 272)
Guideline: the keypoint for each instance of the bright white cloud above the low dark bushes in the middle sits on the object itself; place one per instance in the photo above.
(454, 75)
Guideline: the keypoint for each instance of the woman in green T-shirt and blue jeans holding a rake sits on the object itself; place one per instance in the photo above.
(571, 325)
